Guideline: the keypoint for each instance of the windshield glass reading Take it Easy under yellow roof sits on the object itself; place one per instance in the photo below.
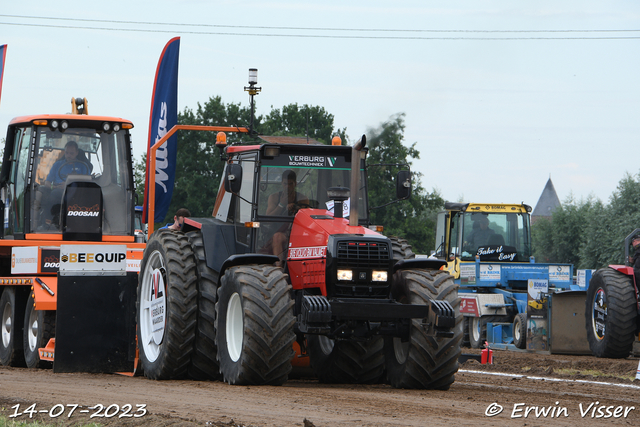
(495, 236)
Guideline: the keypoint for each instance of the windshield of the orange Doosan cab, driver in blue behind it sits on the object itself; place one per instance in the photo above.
(84, 154)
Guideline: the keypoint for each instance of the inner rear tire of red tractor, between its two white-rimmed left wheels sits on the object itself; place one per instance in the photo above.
(204, 362)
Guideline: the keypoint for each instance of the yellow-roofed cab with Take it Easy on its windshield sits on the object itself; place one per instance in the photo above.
(490, 232)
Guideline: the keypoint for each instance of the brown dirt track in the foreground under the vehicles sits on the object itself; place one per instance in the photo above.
(477, 387)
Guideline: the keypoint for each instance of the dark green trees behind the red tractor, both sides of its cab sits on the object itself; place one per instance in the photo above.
(199, 168)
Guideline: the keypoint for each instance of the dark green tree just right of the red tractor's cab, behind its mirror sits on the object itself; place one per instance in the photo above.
(414, 219)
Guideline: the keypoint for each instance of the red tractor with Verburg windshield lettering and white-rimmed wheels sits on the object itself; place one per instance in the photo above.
(232, 296)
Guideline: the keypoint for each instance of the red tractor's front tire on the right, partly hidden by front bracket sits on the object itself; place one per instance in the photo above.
(424, 361)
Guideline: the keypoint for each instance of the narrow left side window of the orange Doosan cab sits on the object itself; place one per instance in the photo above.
(19, 174)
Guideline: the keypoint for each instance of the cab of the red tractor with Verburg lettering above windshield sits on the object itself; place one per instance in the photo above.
(316, 168)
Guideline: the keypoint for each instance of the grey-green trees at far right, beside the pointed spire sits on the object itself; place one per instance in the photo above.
(589, 233)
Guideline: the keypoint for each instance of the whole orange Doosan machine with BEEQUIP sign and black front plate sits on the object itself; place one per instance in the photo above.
(68, 248)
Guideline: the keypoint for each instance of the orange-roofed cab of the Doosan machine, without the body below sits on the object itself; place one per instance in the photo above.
(67, 175)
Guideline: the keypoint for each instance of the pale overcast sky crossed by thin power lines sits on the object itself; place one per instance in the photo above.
(498, 95)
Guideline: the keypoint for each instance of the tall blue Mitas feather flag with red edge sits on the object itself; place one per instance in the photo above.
(163, 116)
